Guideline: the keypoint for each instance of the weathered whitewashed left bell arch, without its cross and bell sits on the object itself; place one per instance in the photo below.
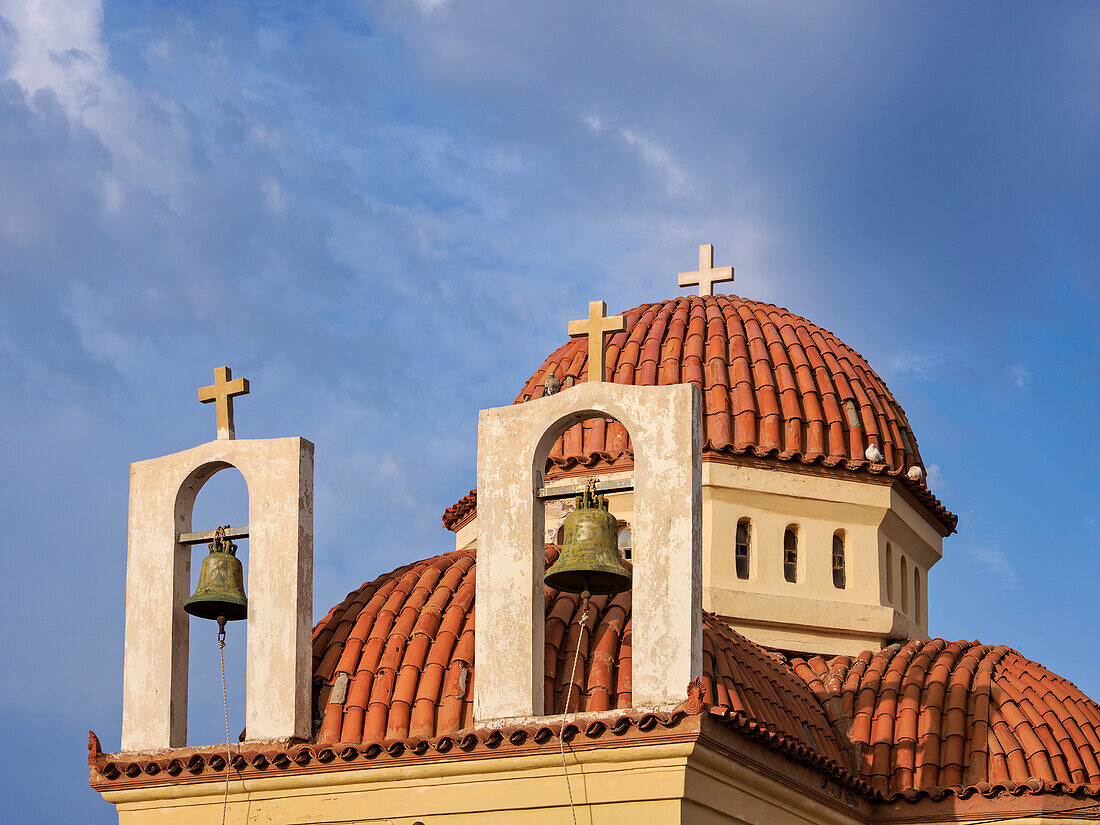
(279, 475)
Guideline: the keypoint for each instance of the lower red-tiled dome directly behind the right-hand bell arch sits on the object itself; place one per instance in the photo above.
(395, 661)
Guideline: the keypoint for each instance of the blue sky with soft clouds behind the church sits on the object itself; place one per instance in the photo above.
(384, 214)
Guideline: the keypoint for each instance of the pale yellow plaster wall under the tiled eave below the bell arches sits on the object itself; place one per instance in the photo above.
(662, 784)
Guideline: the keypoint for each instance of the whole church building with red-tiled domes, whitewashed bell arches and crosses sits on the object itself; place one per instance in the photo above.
(771, 664)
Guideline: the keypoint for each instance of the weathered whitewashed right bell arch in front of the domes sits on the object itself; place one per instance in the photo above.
(513, 446)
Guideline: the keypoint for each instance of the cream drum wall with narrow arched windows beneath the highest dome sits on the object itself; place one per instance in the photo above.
(810, 614)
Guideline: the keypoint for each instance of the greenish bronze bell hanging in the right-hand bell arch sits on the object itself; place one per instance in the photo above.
(590, 559)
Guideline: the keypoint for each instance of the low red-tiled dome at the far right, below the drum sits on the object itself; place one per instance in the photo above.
(930, 717)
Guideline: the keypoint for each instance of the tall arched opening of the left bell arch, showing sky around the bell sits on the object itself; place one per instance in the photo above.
(224, 500)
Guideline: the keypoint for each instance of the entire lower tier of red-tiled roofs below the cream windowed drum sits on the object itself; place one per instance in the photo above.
(395, 663)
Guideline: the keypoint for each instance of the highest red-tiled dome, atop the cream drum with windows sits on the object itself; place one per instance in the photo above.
(775, 387)
